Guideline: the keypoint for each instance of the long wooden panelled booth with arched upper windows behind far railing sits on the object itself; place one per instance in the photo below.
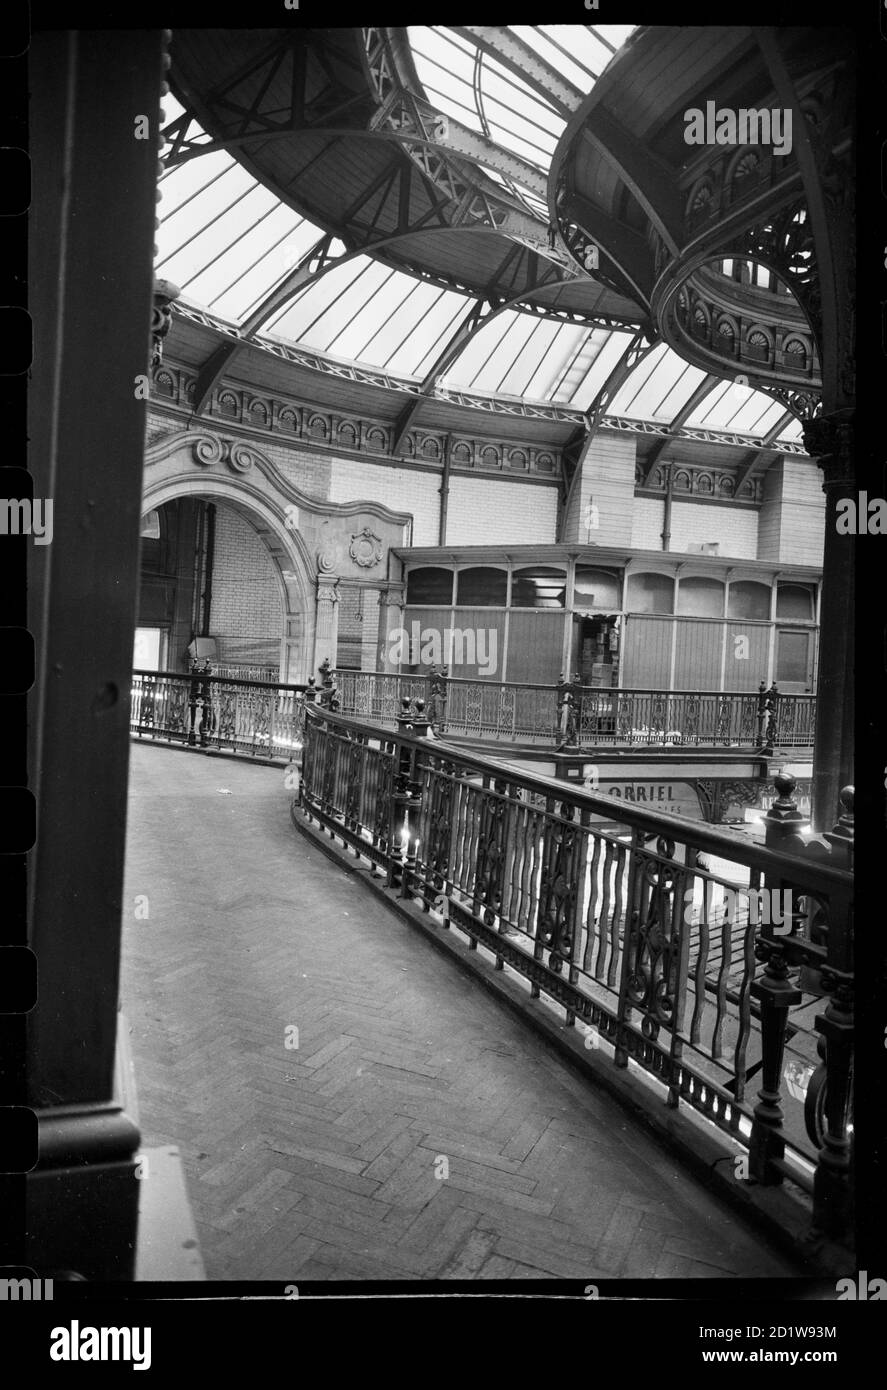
(642, 619)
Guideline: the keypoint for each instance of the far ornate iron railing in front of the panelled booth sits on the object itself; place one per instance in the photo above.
(600, 718)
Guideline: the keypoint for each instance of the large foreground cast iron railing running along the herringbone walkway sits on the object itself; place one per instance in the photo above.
(721, 967)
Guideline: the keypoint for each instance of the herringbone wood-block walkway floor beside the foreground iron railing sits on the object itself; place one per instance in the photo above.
(320, 1163)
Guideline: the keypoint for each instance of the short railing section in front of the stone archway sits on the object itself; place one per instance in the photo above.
(248, 718)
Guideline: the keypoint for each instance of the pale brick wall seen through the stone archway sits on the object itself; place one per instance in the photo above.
(247, 614)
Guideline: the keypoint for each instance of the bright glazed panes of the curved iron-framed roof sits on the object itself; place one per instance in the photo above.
(227, 243)
